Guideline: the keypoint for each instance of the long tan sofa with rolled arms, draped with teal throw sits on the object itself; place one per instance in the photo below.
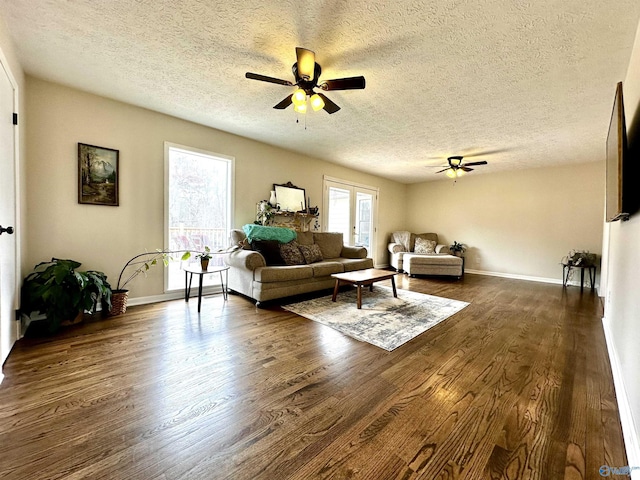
(250, 275)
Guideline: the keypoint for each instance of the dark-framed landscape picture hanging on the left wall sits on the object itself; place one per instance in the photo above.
(97, 175)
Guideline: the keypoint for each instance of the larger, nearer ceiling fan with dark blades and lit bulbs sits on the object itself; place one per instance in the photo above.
(307, 72)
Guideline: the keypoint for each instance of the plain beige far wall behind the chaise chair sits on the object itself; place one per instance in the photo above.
(516, 223)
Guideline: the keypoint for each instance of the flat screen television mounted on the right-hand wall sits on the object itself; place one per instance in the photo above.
(617, 196)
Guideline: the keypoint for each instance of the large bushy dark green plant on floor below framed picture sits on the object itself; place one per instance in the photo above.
(62, 293)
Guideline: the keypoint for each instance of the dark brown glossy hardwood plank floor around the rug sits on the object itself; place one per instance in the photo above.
(515, 386)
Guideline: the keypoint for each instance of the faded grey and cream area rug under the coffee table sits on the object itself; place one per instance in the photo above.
(383, 321)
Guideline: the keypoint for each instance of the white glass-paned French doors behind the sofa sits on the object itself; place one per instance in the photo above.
(351, 209)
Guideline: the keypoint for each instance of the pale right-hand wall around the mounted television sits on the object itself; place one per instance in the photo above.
(622, 302)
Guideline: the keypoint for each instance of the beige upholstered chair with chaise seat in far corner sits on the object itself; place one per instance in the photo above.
(420, 254)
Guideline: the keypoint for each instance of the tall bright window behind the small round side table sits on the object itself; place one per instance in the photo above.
(198, 206)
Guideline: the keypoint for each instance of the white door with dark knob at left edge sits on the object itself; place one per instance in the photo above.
(8, 289)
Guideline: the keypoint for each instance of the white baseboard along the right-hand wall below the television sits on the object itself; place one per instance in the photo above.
(631, 440)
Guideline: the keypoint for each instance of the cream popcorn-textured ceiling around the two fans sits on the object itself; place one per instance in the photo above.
(525, 83)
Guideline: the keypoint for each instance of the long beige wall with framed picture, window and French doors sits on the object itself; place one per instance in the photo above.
(104, 238)
